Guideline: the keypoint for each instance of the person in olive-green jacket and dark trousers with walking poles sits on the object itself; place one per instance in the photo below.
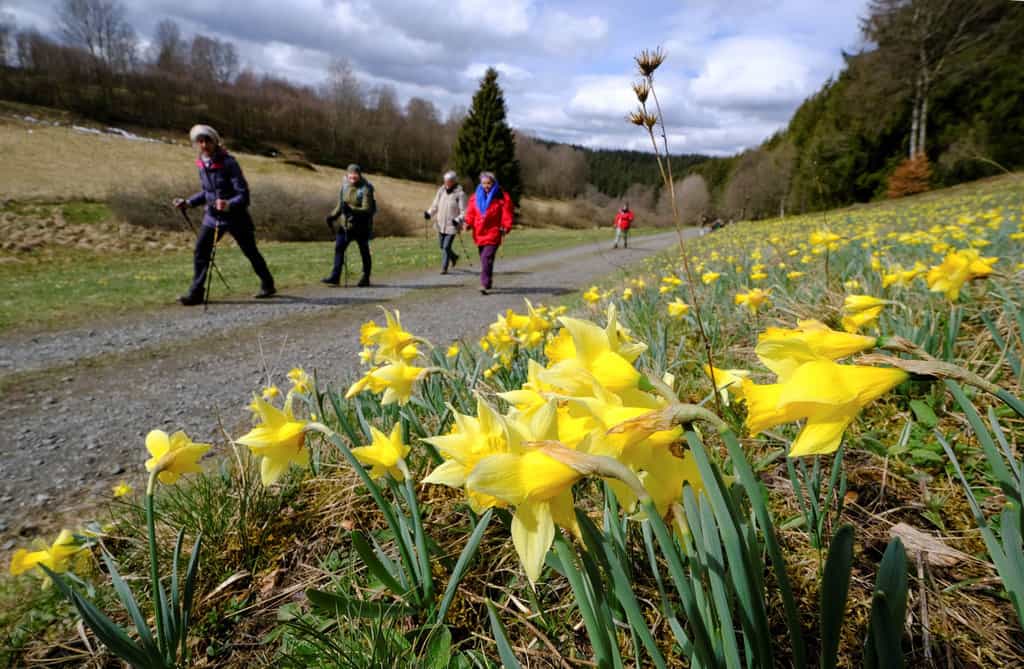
(357, 207)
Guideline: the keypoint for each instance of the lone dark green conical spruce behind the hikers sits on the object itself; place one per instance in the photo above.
(486, 142)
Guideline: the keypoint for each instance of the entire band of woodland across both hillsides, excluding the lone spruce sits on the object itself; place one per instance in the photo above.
(940, 81)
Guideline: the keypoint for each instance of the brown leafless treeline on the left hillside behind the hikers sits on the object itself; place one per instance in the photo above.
(94, 66)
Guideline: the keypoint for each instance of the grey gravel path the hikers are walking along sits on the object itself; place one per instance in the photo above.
(75, 405)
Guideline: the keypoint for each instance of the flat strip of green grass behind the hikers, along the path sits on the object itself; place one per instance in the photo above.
(70, 285)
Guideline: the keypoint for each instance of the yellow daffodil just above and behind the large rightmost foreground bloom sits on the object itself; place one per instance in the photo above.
(783, 351)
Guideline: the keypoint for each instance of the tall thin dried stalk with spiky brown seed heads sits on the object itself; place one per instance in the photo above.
(648, 63)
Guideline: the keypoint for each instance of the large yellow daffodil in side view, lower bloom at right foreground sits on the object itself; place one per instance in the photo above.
(829, 395)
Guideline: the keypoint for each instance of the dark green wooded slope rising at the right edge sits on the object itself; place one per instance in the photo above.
(942, 83)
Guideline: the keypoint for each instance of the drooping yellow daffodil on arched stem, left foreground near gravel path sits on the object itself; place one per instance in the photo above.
(279, 440)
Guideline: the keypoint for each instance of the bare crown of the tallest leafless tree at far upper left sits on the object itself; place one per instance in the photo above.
(102, 29)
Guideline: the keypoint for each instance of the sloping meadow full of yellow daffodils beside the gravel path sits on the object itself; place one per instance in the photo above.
(576, 489)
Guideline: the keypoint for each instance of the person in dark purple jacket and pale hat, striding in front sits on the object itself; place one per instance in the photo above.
(226, 194)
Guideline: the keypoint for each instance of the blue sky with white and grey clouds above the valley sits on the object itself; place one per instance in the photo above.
(737, 69)
